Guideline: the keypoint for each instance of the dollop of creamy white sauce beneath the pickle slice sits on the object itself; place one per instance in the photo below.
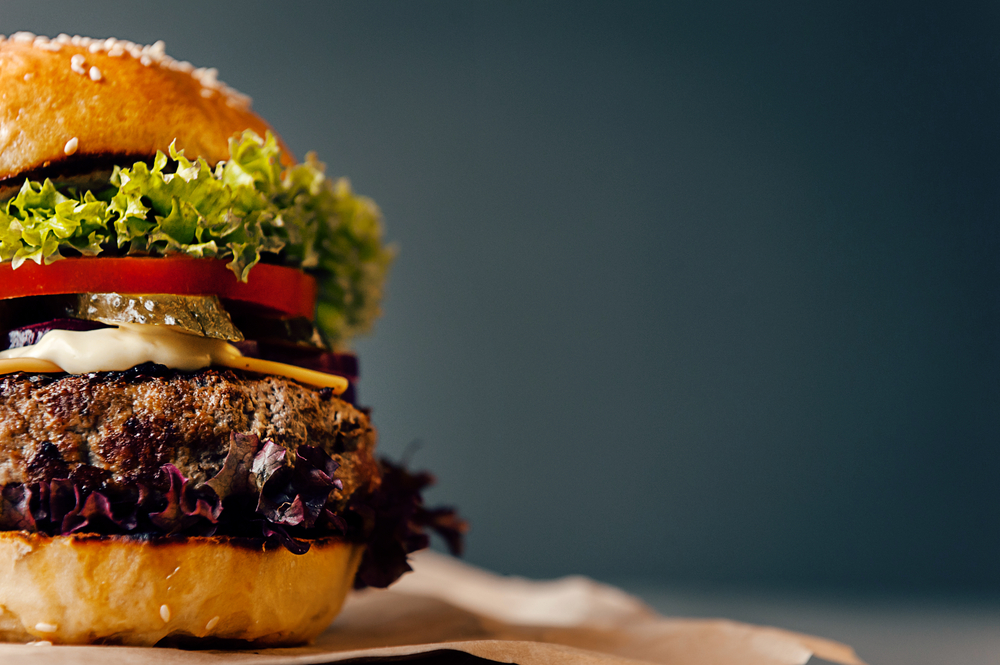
(124, 347)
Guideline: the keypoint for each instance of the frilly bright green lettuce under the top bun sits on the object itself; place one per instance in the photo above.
(245, 206)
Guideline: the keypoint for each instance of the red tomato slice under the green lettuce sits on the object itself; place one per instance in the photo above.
(287, 291)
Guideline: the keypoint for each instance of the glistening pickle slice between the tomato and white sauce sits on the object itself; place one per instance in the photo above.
(200, 315)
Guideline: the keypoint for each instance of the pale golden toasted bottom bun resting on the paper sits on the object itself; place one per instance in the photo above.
(92, 589)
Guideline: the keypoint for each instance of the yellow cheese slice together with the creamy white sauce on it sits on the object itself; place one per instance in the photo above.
(131, 344)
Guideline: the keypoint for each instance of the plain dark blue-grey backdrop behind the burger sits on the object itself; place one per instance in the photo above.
(692, 292)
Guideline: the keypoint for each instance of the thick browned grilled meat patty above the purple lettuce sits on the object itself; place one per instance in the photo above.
(120, 428)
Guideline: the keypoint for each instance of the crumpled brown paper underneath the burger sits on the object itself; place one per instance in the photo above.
(448, 605)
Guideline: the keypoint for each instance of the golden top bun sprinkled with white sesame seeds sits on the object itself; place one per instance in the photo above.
(72, 98)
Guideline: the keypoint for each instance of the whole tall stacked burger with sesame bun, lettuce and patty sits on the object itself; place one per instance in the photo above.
(181, 457)
